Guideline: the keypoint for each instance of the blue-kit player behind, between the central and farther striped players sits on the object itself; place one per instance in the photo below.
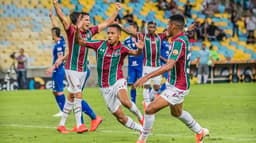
(135, 63)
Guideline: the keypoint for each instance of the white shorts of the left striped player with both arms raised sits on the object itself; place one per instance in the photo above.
(76, 80)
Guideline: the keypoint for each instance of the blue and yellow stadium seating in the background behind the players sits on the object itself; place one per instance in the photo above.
(25, 24)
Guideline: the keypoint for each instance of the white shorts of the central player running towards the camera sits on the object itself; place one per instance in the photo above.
(110, 95)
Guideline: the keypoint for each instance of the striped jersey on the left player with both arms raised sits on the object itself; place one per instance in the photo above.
(77, 59)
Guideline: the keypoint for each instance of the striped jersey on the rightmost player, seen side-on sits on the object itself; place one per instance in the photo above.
(180, 52)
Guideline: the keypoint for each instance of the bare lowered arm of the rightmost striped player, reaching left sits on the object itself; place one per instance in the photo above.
(168, 66)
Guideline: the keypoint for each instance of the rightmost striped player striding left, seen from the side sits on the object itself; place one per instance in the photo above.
(178, 83)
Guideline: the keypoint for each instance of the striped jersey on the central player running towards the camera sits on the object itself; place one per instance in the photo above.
(109, 61)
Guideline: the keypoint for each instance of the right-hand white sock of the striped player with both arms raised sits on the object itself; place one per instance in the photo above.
(78, 111)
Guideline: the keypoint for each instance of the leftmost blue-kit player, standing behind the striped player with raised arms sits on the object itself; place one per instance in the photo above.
(58, 73)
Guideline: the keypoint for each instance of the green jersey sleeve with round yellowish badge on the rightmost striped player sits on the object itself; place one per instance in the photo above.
(176, 50)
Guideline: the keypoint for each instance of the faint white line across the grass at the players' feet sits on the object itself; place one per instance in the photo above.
(248, 138)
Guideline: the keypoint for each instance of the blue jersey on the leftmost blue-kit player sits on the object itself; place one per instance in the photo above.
(59, 48)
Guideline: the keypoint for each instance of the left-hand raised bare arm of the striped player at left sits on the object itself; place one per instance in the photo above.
(60, 14)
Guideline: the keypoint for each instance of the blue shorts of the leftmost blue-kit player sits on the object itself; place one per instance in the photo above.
(57, 79)
